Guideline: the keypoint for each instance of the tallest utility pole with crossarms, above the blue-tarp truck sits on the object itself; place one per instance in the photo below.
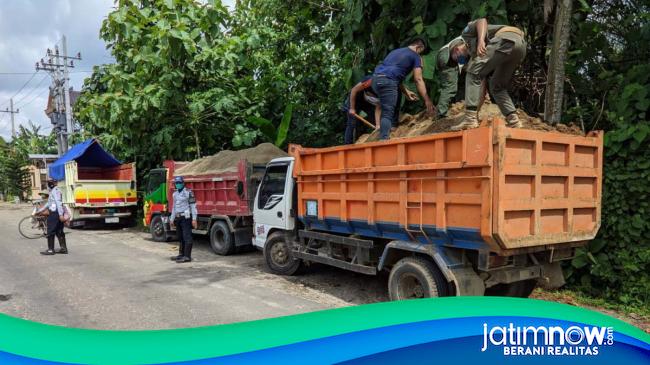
(57, 66)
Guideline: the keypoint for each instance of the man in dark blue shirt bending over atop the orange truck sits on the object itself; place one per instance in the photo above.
(389, 75)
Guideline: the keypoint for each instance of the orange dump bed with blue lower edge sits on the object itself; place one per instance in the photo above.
(491, 188)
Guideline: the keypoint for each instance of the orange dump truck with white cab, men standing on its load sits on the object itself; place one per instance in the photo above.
(491, 210)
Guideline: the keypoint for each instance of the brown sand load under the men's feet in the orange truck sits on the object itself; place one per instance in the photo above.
(419, 124)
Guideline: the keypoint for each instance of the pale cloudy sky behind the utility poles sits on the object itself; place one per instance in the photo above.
(27, 29)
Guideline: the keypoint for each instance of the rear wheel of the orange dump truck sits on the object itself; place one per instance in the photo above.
(416, 277)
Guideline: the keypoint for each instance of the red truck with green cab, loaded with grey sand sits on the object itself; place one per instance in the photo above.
(223, 197)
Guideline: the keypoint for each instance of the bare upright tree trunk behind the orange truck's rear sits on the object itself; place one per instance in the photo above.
(556, 70)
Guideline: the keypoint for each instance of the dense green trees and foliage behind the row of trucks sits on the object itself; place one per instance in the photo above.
(191, 78)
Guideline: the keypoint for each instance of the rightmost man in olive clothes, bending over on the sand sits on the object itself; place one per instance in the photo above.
(494, 52)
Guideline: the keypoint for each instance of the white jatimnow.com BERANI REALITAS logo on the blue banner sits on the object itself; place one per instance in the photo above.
(547, 340)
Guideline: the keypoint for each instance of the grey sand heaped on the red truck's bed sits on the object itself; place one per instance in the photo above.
(227, 160)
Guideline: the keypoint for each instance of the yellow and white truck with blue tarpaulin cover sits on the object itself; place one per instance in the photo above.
(96, 186)
